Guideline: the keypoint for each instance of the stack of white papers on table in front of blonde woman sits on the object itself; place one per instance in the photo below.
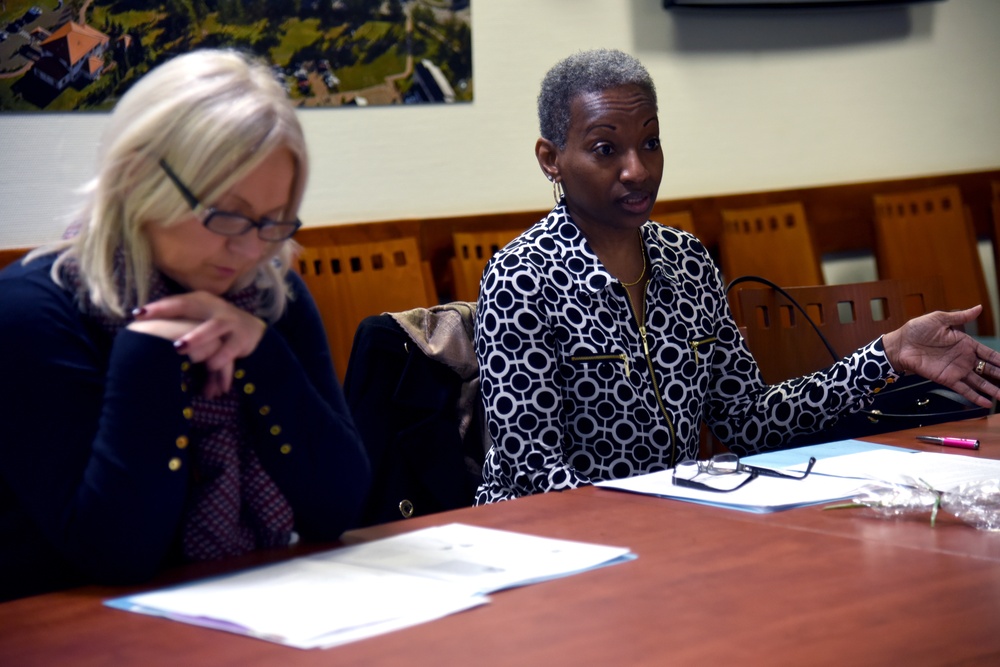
(347, 594)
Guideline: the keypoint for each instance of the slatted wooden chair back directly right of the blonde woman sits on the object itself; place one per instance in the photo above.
(351, 282)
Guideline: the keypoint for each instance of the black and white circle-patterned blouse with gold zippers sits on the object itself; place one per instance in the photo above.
(569, 390)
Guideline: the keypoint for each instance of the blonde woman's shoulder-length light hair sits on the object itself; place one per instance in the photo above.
(213, 116)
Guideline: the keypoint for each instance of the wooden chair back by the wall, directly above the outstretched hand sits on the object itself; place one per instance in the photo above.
(928, 232)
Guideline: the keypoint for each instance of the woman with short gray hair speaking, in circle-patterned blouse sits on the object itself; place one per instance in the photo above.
(605, 340)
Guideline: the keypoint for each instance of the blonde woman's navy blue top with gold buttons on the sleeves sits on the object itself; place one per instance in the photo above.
(94, 456)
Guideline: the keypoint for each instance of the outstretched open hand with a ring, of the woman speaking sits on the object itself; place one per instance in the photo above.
(934, 346)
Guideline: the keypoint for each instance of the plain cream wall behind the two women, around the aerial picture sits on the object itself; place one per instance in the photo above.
(749, 101)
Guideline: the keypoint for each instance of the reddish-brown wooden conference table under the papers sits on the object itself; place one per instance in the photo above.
(710, 587)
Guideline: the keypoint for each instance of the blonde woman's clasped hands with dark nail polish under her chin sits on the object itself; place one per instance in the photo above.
(207, 329)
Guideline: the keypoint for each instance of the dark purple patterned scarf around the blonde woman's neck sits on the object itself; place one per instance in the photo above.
(233, 506)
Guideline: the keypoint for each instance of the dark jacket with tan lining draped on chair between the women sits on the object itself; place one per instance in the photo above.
(414, 395)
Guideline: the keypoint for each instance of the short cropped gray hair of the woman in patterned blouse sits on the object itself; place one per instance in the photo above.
(585, 72)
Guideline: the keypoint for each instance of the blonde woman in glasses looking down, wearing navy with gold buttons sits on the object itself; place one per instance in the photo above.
(169, 393)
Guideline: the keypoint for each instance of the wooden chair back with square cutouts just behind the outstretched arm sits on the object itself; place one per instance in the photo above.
(784, 343)
